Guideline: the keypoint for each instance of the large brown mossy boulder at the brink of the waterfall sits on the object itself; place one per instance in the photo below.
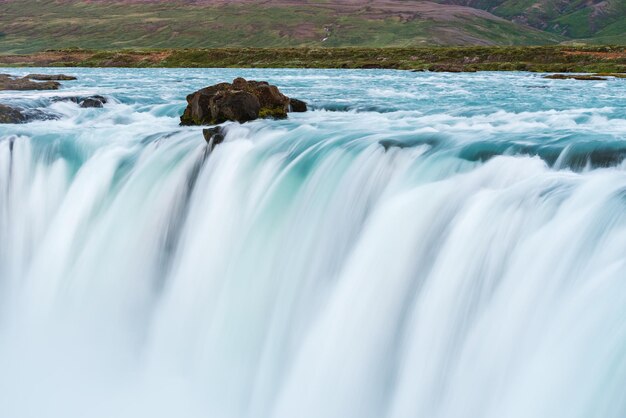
(239, 101)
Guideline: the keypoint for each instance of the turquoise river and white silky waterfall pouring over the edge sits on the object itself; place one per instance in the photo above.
(418, 245)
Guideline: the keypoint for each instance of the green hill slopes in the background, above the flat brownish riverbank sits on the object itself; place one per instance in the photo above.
(35, 25)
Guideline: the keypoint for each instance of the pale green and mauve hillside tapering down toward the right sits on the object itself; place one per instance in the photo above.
(36, 25)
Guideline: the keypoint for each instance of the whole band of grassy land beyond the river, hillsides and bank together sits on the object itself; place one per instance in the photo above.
(316, 34)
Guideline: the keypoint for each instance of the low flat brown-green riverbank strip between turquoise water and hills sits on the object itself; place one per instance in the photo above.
(454, 59)
